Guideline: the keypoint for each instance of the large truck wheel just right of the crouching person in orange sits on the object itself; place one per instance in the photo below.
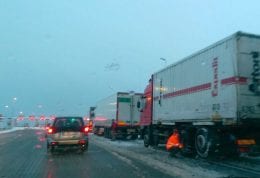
(203, 142)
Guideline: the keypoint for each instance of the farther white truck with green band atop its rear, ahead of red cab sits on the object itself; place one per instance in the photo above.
(121, 109)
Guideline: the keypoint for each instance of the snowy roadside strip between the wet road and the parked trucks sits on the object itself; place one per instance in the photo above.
(157, 159)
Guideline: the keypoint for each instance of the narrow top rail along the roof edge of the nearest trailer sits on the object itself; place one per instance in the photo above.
(235, 35)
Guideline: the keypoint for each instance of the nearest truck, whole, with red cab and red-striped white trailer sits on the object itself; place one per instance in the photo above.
(212, 98)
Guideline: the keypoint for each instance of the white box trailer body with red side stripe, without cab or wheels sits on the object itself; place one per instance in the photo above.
(219, 83)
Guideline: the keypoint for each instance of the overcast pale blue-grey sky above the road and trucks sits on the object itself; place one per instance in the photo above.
(67, 54)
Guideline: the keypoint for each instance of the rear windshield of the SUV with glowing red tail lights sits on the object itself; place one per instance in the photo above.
(68, 123)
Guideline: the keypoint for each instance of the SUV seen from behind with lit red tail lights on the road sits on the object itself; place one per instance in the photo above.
(67, 131)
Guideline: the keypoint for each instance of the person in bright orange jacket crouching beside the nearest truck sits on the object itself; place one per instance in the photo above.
(173, 143)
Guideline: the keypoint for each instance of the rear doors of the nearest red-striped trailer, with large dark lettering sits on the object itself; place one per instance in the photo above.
(248, 79)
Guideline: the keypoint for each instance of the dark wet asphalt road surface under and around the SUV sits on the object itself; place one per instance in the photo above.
(23, 154)
